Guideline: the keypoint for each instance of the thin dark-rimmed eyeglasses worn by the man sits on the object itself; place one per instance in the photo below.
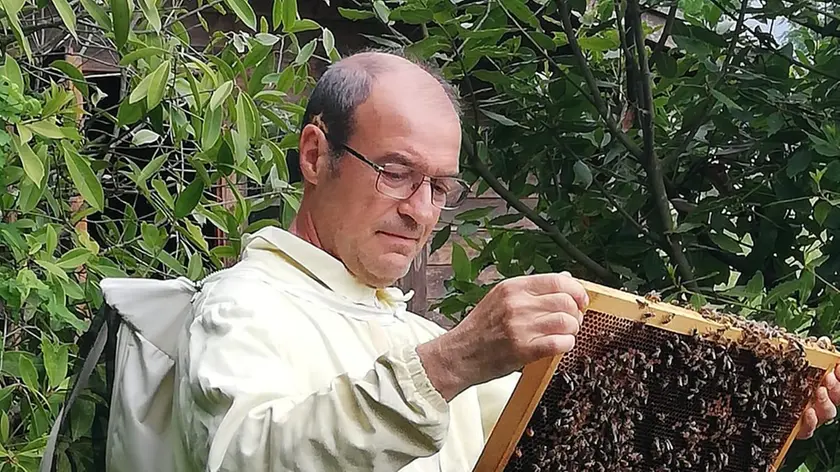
(401, 182)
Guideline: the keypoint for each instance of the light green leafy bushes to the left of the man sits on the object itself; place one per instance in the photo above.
(128, 185)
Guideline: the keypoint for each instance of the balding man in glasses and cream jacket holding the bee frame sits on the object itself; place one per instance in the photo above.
(302, 358)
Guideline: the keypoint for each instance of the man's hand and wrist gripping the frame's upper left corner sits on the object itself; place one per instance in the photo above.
(519, 321)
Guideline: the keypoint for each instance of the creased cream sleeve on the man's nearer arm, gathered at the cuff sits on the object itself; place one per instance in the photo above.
(249, 381)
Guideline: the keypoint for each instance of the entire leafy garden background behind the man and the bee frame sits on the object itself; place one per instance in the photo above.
(689, 147)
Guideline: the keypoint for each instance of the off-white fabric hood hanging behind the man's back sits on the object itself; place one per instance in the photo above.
(152, 311)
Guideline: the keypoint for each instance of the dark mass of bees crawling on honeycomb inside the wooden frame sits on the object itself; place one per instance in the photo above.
(633, 397)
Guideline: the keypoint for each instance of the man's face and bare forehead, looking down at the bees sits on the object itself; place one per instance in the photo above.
(405, 120)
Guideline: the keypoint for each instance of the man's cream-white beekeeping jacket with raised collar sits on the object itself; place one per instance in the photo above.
(287, 363)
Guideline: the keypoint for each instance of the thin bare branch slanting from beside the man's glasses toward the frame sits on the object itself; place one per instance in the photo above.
(551, 230)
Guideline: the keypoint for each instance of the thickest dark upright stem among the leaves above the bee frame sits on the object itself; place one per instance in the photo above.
(651, 162)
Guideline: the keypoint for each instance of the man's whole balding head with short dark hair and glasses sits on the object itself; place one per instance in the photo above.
(387, 111)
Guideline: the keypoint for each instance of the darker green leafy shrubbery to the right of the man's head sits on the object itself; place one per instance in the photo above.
(706, 169)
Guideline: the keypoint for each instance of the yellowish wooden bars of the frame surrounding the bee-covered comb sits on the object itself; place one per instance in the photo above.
(536, 376)
